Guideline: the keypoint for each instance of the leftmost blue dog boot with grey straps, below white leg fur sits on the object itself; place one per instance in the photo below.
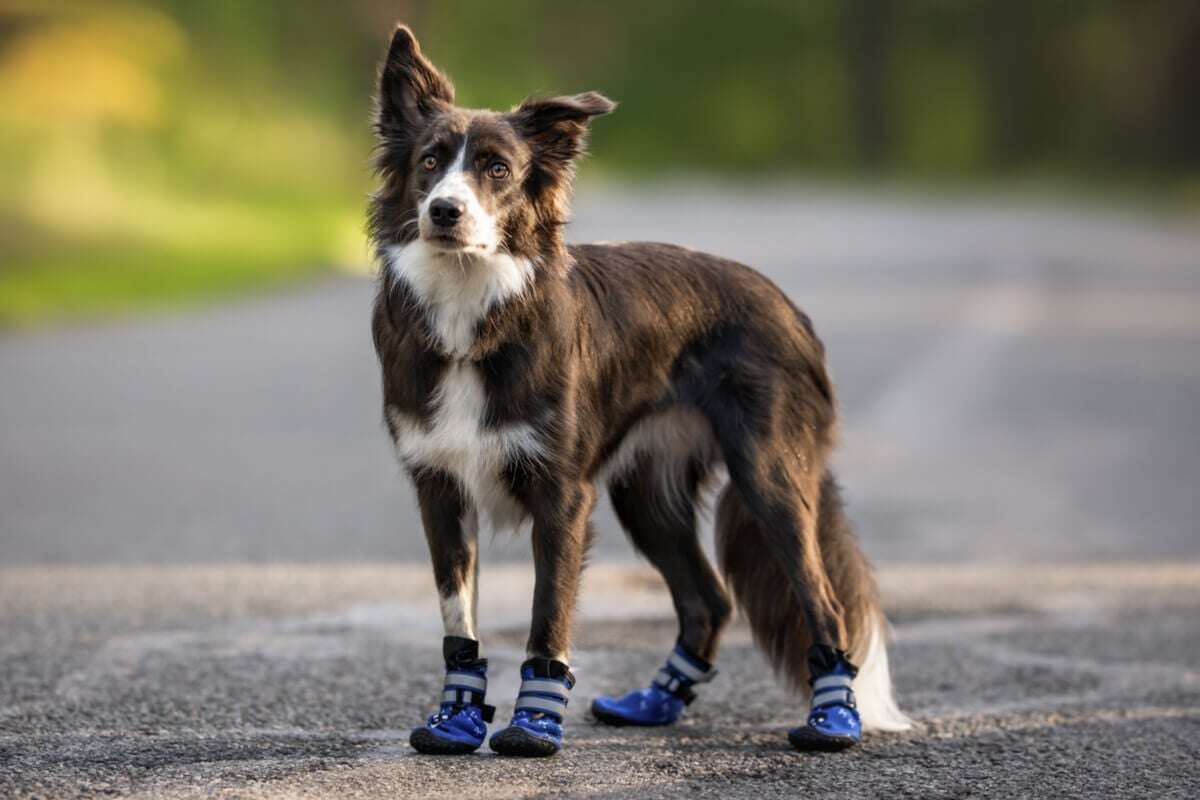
(460, 724)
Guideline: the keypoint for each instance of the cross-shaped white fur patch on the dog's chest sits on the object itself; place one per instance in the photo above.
(455, 441)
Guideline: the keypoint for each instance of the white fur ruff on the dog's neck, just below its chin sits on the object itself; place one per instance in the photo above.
(457, 291)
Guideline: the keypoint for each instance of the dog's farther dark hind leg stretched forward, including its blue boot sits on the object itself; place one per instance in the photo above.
(659, 515)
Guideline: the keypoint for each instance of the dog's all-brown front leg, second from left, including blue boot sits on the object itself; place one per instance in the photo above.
(562, 534)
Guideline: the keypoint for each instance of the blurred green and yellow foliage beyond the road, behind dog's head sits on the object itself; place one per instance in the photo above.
(155, 151)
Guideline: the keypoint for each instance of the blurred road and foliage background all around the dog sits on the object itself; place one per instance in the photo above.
(213, 574)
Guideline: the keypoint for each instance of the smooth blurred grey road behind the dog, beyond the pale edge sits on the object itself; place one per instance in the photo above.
(1018, 383)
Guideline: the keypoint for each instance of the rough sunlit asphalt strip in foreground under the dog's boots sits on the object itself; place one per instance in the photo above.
(260, 682)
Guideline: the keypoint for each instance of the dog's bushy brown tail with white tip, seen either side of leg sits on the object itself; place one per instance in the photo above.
(777, 618)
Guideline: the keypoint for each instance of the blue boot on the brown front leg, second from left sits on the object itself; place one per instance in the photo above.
(537, 727)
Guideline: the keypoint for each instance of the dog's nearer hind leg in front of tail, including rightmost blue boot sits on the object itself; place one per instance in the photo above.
(770, 542)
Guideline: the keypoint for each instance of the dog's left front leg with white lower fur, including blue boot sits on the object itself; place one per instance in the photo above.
(451, 521)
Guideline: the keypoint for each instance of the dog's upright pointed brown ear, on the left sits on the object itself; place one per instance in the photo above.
(411, 89)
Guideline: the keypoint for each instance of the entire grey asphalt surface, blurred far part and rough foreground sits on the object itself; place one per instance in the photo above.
(213, 581)
